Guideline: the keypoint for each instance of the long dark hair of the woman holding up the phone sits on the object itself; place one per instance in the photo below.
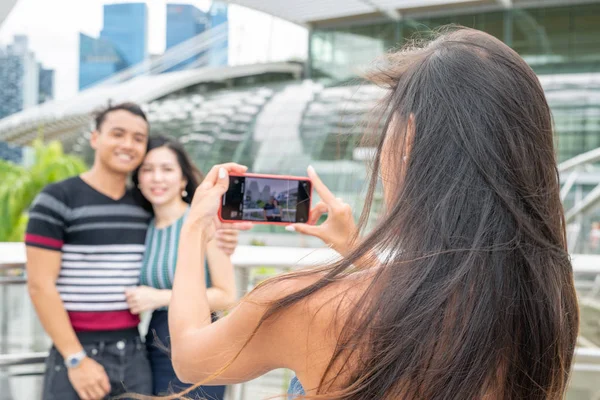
(474, 296)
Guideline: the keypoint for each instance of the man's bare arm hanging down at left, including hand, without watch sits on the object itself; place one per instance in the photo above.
(89, 379)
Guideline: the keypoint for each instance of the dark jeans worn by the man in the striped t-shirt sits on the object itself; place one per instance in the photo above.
(125, 361)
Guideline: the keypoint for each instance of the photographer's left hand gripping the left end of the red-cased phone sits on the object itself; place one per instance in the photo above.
(207, 199)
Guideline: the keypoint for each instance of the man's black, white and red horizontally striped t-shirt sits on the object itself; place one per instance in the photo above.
(102, 246)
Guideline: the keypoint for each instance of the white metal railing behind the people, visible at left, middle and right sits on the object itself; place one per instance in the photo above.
(250, 263)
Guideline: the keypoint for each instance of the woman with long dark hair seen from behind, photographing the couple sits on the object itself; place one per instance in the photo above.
(463, 290)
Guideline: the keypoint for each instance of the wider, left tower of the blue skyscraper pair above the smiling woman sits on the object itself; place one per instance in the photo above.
(184, 21)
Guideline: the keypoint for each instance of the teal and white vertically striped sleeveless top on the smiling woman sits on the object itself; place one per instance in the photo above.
(160, 259)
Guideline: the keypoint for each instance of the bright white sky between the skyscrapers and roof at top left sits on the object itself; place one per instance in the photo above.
(53, 28)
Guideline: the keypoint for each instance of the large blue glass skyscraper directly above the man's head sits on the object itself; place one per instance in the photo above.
(123, 43)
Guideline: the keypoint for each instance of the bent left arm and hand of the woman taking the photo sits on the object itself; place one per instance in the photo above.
(230, 350)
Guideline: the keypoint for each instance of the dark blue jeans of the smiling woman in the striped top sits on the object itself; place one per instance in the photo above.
(164, 378)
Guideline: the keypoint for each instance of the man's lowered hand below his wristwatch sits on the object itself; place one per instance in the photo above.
(89, 380)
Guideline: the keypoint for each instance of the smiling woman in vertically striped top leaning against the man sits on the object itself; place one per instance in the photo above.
(164, 185)
